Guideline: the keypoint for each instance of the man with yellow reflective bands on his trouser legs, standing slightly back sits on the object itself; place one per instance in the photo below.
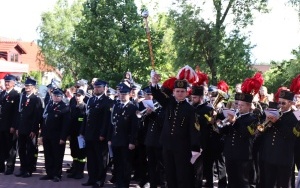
(77, 112)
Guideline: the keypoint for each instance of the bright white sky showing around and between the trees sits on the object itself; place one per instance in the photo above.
(274, 34)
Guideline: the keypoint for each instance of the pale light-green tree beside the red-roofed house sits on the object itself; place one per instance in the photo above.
(56, 31)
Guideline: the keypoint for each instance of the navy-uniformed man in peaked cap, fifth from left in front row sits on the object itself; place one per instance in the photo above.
(94, 130)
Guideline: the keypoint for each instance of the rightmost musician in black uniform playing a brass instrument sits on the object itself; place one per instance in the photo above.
(278, 144)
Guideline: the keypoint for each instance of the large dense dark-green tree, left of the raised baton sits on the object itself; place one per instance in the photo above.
(111, 40)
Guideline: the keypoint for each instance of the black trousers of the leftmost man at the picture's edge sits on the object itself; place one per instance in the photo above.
(8, 151)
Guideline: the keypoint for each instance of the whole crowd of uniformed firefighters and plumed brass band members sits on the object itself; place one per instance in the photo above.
(181, 133)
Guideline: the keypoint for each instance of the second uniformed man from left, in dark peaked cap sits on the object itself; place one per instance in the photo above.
(30, 108)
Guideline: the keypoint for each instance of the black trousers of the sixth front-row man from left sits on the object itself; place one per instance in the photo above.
(123, 165)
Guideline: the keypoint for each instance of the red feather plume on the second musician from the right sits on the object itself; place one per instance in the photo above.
(252, 85)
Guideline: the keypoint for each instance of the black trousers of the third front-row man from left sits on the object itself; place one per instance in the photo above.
(54, 155)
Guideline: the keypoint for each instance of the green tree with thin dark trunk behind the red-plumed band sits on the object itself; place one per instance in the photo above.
(209, 42)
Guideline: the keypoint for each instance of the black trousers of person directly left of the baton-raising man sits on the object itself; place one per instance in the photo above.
(155, 165)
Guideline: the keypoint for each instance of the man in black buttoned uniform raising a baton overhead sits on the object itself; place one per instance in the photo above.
(180, 133)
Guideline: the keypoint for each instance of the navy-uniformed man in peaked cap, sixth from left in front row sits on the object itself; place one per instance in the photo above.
(123, 135)
